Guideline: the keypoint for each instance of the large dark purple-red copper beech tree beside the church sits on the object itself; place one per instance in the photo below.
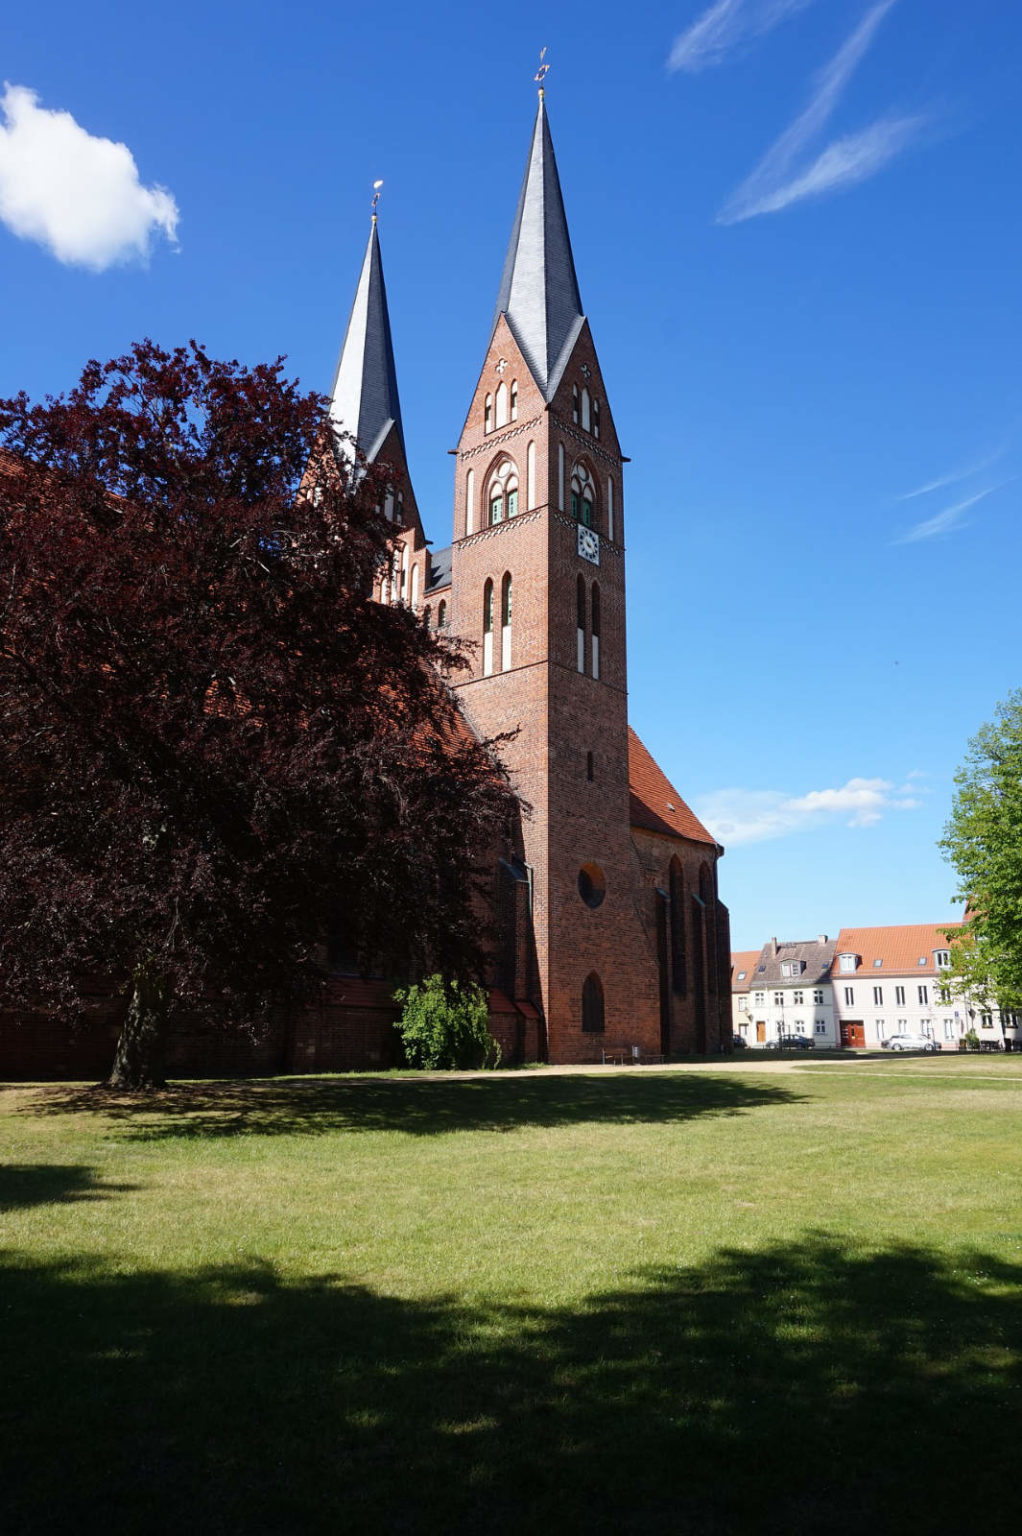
(216, 749)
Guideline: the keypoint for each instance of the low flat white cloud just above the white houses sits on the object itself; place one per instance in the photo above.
(755, 816)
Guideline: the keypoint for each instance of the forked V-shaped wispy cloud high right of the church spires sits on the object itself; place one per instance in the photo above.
(777, 184)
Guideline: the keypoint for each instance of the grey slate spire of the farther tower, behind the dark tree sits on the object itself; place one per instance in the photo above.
(365, 396)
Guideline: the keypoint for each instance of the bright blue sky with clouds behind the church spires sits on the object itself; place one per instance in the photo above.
(797, 227)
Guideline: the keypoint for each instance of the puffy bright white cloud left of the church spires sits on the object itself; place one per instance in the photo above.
(71, 193)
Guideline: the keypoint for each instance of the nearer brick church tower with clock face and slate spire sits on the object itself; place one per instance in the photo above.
(539, 586)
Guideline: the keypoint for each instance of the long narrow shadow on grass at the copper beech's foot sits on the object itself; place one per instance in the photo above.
(422, 1107)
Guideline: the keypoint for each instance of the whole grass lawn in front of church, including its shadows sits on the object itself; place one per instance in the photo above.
(777, 1297)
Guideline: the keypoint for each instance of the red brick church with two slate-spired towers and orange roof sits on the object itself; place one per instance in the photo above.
(611, 929)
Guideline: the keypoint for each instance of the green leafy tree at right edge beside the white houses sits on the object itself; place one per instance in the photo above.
(984, 844)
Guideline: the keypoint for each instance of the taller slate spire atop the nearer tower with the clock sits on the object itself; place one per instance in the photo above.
(539, 290)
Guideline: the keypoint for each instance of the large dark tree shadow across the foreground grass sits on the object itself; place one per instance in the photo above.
(805, 1389)
